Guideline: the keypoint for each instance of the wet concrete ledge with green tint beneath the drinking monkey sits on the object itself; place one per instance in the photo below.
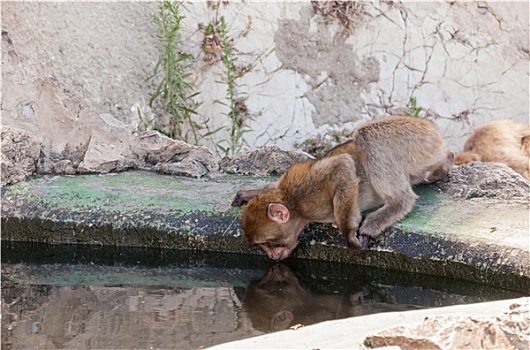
(481, 240)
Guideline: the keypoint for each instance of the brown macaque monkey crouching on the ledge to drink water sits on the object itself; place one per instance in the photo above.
(377, 167)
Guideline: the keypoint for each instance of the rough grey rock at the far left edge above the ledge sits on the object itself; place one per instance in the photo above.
(20, 155)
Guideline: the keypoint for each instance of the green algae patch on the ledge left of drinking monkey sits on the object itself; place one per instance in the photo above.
(130, 191)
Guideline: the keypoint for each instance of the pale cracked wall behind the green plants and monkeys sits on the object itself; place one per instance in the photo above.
(466, 63)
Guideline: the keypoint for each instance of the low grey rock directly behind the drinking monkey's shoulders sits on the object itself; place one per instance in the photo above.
(263, 161)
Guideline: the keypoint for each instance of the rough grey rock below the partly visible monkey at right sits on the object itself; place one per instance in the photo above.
(478, 179)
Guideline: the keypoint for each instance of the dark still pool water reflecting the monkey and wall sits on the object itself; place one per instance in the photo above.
(59, 296)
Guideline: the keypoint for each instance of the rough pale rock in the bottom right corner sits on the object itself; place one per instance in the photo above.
(509, 331)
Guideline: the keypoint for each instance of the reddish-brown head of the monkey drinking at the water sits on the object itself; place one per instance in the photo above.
(268, 223)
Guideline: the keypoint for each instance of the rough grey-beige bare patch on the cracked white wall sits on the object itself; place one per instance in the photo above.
(318, 51)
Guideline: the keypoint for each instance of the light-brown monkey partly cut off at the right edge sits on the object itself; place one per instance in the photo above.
(502, 141)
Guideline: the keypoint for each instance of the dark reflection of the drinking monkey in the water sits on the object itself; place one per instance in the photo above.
(278, 301)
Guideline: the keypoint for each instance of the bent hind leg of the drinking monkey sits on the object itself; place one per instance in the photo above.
(399, 200)
